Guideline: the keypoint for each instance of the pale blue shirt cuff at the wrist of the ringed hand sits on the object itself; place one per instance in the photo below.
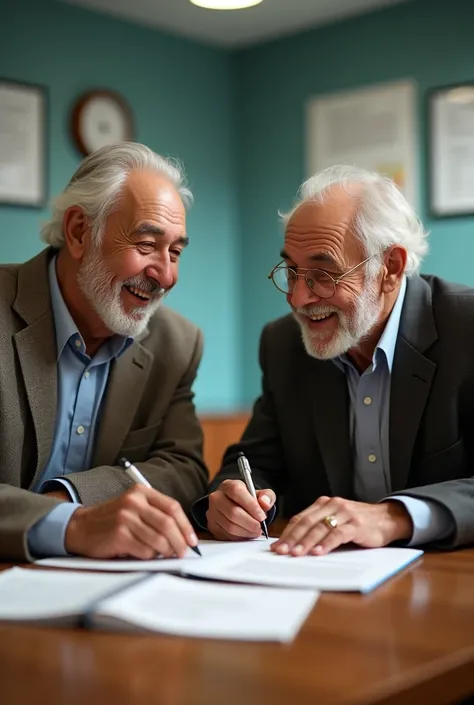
(431, 521)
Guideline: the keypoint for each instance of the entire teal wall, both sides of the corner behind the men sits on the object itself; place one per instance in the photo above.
(237, 122)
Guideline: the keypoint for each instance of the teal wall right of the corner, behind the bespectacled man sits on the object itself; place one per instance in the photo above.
(430, 41)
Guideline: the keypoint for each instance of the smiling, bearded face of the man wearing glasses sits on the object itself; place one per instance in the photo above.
(321, 237)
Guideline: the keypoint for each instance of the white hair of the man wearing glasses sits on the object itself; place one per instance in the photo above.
(384, 216)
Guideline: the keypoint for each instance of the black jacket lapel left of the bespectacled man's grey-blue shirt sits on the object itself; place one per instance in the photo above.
(330, 407)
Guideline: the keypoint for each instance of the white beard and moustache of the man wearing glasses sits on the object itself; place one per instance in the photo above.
(352, 329)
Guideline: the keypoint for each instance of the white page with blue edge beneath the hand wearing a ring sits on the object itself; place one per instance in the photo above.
(359, 570)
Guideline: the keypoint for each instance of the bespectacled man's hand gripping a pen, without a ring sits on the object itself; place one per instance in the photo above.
(234, 514)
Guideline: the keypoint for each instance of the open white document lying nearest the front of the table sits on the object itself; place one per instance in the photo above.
(154, 603)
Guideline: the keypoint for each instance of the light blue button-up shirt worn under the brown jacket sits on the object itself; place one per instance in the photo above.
(81, 385)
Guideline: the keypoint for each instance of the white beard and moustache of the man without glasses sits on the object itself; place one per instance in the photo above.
(97, 284)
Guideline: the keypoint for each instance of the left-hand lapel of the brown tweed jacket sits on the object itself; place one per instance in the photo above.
(36, 348)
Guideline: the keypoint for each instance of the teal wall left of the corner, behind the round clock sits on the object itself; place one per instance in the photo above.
(181, 93)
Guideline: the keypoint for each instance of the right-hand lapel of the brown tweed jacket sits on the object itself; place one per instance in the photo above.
(125, 388)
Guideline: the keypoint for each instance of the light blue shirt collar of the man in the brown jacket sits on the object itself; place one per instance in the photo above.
(64, 324)
